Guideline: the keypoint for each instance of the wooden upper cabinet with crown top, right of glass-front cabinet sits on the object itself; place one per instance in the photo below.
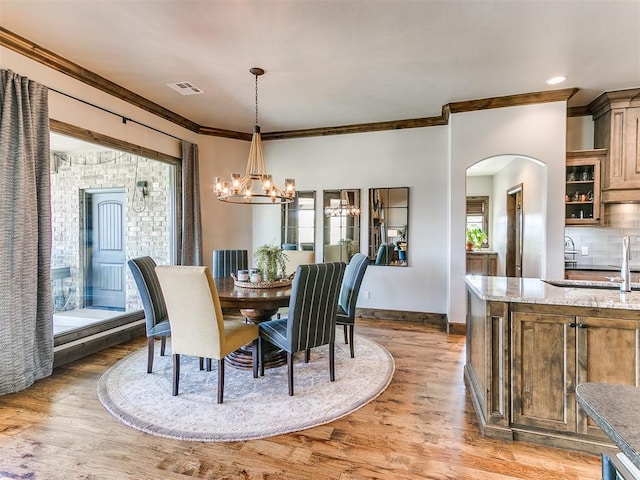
(616, 117)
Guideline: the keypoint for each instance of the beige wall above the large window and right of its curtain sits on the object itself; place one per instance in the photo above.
(224, 226)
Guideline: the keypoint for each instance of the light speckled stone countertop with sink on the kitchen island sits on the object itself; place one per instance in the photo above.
(573, 292)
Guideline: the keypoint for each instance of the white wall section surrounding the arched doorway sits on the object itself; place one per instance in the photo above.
(537, 131)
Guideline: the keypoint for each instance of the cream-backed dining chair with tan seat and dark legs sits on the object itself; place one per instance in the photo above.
(197, 326)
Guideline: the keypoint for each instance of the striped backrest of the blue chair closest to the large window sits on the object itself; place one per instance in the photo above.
(144, 273)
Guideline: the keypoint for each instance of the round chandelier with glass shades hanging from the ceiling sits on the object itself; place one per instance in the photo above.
(256, 186)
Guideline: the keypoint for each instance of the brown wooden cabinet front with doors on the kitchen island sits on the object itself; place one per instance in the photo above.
(555, 352)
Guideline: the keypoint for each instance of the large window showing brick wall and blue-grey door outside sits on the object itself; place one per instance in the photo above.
(107, 206)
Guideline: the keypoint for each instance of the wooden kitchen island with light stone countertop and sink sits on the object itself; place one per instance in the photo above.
(529, 343)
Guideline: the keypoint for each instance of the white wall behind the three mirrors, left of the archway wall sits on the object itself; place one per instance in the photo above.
(414, 158)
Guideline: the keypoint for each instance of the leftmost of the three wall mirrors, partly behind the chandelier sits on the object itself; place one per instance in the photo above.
(299, 222)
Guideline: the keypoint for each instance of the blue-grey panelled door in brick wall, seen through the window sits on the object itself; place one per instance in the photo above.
(106, 258)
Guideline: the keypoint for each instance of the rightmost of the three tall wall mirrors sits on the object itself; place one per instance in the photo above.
(389, 226)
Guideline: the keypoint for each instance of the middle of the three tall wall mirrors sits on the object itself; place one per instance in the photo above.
(341, 210)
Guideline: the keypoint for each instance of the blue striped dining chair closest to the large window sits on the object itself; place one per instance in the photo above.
(155, 310)
